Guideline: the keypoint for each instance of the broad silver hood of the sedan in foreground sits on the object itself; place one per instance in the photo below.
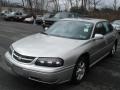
(40, 45)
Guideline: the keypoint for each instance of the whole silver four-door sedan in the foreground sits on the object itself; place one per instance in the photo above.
(64, 52)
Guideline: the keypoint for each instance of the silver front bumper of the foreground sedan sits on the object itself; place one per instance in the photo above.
(40, 74)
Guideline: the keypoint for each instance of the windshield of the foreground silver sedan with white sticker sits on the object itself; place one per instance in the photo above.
(71, 29)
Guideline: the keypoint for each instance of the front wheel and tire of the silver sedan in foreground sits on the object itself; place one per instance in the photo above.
(79, 71)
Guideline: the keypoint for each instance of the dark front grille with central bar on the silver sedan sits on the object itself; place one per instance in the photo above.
(22, 58)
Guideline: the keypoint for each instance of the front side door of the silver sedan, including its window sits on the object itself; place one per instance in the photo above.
(98, 44)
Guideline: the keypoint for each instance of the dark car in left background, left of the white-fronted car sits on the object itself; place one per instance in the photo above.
(15, 16)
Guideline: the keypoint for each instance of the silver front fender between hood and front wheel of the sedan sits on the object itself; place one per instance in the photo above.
(73, 56)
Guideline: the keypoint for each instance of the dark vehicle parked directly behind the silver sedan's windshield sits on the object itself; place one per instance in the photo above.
(61, 15)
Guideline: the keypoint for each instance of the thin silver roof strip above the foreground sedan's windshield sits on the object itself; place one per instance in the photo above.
(92, 20)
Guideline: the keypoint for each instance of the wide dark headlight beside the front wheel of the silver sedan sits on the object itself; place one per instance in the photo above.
(49, 62)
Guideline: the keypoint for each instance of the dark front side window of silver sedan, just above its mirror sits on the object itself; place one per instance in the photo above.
(100, 29)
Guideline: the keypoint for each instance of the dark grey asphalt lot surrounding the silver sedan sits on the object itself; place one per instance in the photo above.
(105, 75)
